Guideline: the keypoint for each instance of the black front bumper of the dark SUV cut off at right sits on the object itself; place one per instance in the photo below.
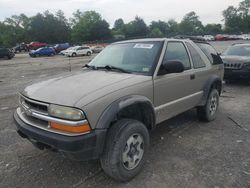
(234, 74)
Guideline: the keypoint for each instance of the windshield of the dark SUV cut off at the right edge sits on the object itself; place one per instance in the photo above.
(238, 51)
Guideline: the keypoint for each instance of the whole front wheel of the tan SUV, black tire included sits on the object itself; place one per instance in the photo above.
(117, 142)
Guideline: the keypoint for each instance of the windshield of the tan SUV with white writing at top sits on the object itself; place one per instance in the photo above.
(132, 57)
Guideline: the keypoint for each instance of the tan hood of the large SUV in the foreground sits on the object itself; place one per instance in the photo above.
(68, 89)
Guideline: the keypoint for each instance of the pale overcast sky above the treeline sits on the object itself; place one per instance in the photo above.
(209, 11)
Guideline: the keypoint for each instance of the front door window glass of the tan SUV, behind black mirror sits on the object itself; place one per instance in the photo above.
(176, 51)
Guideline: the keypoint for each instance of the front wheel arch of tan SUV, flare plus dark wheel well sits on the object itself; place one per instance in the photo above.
(134, 107)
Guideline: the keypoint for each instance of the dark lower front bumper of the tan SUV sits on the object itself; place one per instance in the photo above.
(80, 148)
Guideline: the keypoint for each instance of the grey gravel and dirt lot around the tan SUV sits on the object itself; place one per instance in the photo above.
(184, 152)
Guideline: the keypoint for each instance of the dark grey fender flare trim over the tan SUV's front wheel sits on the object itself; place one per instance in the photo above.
(110, 113)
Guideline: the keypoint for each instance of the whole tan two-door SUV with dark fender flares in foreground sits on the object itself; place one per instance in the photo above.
(106, 110)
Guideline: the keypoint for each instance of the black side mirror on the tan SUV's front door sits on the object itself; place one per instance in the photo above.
(173, 66)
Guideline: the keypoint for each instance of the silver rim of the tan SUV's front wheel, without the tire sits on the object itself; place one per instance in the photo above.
(133, 151)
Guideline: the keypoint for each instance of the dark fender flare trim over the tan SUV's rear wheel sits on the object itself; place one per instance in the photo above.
(207, 87)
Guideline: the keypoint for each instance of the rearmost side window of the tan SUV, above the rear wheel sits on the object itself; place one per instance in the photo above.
(211, 53)
